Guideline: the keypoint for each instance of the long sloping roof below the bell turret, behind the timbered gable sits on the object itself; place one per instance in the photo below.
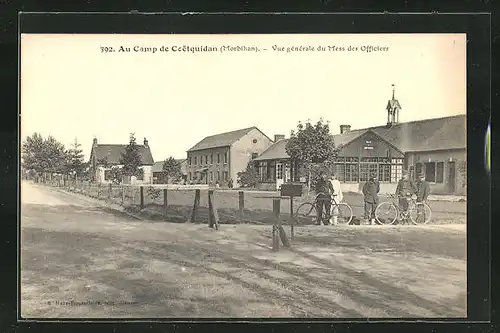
(421, 135)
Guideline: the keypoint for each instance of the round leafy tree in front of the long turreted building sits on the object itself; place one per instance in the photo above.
(312, 148)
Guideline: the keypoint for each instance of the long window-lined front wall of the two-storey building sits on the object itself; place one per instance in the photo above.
(212, 167)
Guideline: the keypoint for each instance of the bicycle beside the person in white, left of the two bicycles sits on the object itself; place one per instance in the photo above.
(307, 213)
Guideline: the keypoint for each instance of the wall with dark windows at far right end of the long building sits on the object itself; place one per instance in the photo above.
(458, 156)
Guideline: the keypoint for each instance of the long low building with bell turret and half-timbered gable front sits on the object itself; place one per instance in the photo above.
(435, 147)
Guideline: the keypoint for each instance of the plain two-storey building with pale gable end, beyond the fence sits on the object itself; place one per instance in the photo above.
(220, 157)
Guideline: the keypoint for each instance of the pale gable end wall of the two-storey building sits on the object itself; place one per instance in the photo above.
(242, 150)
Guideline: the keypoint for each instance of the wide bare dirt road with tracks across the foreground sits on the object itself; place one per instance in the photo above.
(80, 261)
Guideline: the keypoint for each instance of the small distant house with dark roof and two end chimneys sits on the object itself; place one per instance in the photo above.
(105, 156)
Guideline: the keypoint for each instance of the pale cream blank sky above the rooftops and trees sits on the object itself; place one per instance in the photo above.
(71, 89)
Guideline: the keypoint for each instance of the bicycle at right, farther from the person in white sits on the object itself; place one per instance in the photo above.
(388, 212)
